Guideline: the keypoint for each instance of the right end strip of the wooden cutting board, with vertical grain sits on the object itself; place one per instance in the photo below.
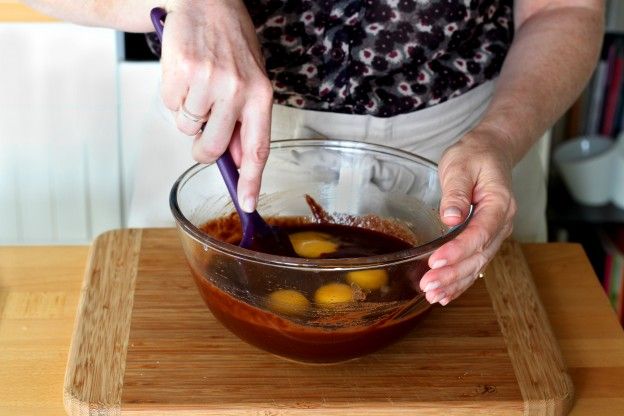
(507, 302)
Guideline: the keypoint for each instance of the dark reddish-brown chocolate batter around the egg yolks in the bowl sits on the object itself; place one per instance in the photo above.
(318, 337)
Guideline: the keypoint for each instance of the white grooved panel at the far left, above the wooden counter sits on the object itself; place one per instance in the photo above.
(60, 179)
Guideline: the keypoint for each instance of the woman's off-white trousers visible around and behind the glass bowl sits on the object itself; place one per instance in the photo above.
(427, 133)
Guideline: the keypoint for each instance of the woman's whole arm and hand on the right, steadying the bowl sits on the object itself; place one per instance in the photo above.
(525, 103)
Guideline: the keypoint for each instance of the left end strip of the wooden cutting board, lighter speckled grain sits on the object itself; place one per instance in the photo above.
(97, 357)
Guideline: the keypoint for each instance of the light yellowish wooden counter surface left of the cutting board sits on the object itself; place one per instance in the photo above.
(34, 337)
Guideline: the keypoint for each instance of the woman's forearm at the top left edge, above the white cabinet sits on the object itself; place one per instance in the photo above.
(124, 15)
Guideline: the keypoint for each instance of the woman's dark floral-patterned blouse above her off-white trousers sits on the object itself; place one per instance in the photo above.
(380, 57)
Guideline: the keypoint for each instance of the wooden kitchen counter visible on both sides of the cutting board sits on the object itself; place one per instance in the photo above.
(40, 288)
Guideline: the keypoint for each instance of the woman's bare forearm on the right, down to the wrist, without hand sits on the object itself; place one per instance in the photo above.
(551, 59)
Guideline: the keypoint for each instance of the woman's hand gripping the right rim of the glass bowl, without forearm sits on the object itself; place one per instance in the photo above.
(475, 170)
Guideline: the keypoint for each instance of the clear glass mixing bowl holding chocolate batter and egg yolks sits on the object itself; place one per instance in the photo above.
(358, 184)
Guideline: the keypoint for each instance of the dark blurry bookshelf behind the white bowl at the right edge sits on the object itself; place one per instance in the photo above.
(598, 111)
